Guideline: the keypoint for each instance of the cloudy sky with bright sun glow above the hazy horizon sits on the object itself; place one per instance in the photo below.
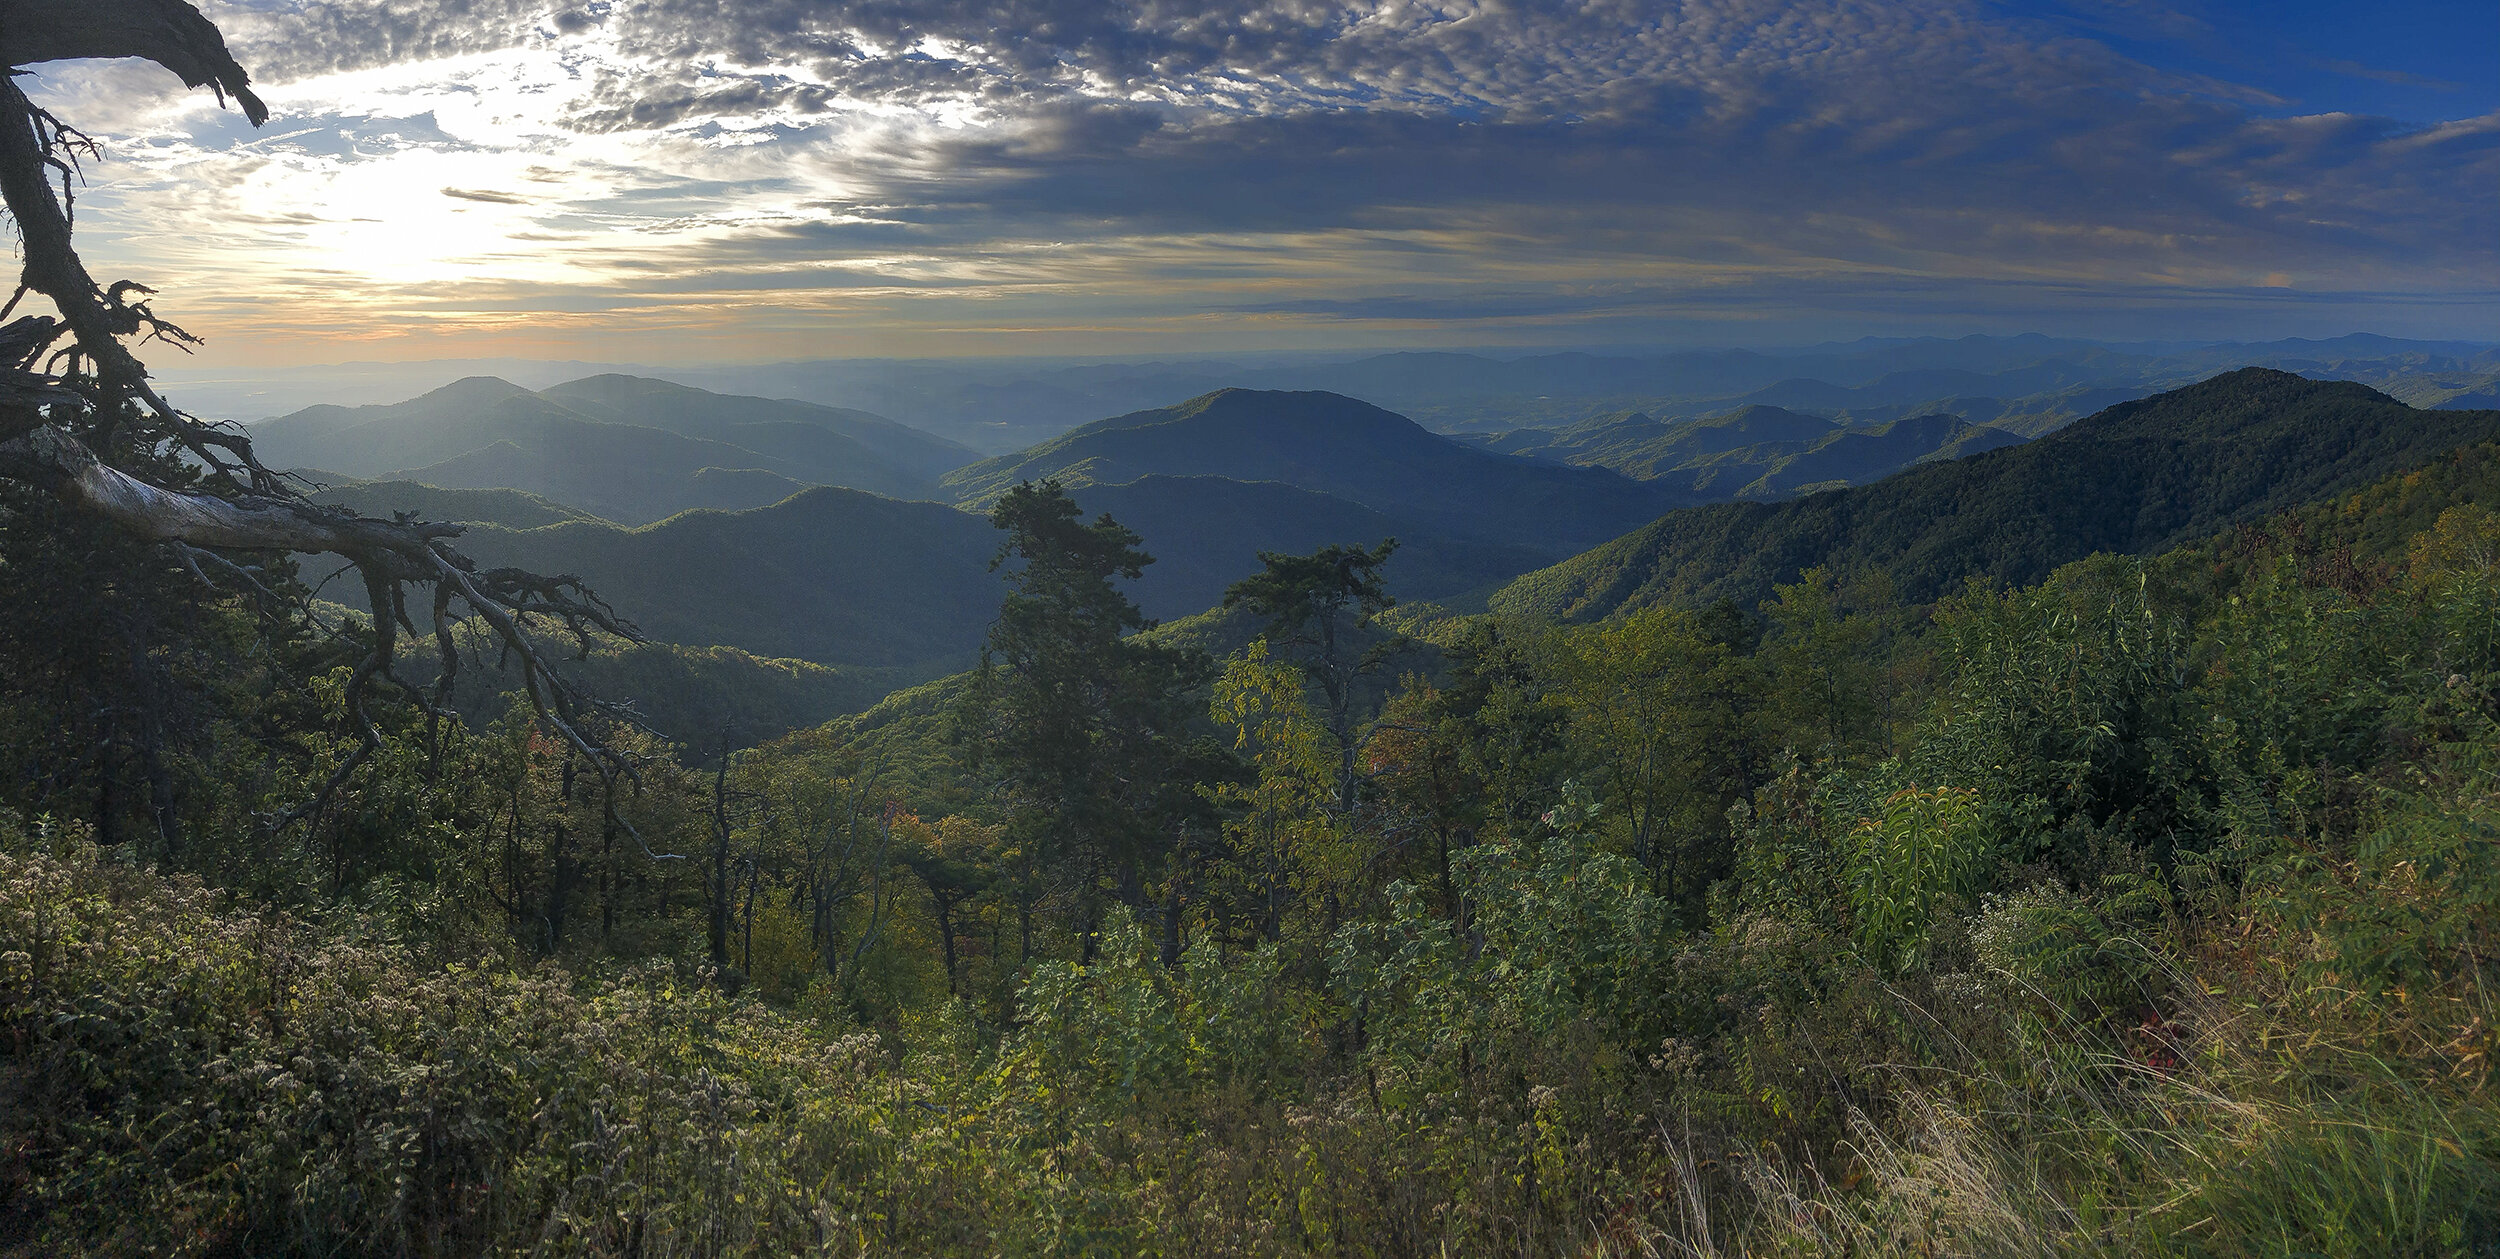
(746, 181)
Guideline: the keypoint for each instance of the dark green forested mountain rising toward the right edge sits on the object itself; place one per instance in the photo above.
(2134, 478)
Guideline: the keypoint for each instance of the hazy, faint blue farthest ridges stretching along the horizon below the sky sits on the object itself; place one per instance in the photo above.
(1001, 406)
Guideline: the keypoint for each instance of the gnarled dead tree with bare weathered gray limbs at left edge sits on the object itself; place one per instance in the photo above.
(99, 438)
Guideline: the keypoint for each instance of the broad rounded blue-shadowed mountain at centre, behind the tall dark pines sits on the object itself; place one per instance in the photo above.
(1341, 448)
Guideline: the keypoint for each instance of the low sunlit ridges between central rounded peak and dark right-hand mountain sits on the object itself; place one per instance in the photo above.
(1754, 451)
